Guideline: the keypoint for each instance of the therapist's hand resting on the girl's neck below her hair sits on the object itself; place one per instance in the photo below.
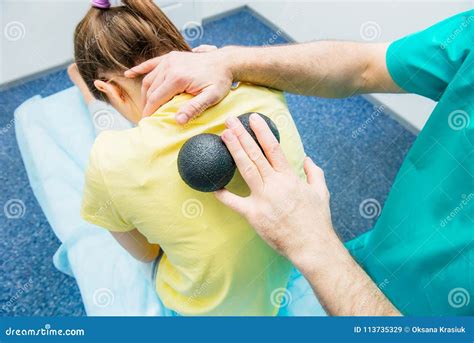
(203, 73)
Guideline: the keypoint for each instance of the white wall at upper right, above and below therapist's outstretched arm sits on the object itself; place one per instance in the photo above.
(371, 21)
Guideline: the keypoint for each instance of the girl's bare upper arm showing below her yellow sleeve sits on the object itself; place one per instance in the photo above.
(137, 245)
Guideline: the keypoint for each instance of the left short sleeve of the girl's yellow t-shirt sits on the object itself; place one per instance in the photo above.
(98, 206)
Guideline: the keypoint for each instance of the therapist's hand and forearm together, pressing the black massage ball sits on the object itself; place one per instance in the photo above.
(293, 216)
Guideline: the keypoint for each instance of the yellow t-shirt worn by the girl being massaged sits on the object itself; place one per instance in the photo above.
(214, 263)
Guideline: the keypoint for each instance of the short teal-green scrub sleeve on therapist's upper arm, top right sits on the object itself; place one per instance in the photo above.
(425, 62)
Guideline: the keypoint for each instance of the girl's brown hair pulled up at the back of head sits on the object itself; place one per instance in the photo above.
(118, 38)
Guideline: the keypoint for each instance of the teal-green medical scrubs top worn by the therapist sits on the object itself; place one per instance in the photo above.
(421, 251)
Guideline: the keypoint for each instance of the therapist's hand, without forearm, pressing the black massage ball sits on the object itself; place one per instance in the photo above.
(290, 214)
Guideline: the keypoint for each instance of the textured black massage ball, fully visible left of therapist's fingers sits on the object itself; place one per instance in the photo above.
(205, 164)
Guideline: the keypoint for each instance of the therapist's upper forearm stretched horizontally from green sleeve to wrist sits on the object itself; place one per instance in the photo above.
(326, 68)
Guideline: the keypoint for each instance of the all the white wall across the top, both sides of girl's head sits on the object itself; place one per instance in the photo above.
(37, 34)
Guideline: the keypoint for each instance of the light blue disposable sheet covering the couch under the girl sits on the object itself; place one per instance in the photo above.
(55, 135)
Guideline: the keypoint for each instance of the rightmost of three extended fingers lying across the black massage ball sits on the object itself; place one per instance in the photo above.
(268, 142)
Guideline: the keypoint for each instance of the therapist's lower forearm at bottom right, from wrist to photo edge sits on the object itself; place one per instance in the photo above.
(341, 285)
